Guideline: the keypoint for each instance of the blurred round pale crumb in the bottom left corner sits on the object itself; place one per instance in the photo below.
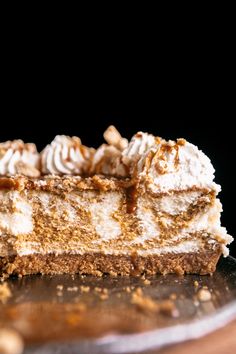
(10, 342)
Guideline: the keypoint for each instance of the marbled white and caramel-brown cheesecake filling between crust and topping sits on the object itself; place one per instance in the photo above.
(90, 221)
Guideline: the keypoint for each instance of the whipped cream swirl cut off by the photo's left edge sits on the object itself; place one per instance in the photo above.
(16, 157)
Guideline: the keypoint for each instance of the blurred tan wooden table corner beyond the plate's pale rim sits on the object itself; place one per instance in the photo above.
(222, 341)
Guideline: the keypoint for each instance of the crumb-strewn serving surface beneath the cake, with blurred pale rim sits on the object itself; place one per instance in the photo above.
(122, 315)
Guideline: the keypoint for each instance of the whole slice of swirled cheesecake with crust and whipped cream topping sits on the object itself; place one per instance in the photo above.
(127, 208)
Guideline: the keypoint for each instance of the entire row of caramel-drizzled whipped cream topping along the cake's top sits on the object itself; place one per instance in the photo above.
(161, 165)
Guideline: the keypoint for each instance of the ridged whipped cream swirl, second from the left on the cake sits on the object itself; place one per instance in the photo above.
(66, 155)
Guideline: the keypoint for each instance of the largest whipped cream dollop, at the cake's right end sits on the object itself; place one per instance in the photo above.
(174, 166)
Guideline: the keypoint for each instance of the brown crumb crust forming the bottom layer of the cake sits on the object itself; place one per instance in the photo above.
(97, 264)
